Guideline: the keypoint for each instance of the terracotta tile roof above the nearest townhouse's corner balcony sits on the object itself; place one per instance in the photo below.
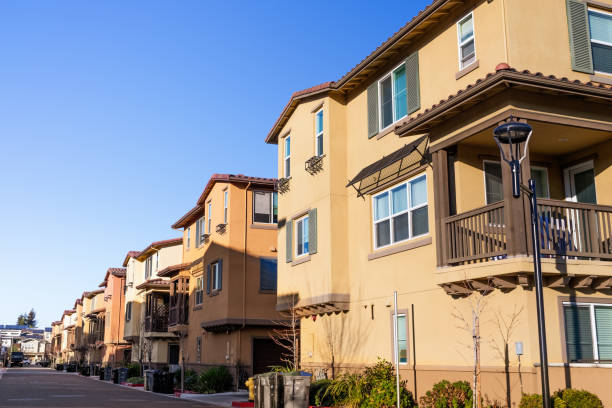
(414, 124)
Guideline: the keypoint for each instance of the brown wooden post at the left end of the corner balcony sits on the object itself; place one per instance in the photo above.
(441, 203)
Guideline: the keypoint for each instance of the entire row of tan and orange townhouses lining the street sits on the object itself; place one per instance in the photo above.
(390, 181)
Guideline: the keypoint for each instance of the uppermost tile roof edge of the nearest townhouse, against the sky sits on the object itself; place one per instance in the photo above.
(396, 40)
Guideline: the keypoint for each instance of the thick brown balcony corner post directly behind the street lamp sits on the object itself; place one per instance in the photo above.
(516, 210)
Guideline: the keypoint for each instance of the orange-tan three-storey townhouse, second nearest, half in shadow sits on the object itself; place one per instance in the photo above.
(223, 295)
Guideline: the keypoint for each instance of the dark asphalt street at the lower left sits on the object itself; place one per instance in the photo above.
(40, 387)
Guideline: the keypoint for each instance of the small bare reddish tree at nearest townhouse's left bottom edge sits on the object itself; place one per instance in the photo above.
(287, 334)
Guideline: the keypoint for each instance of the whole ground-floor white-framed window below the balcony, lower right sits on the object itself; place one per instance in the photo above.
(588, 331)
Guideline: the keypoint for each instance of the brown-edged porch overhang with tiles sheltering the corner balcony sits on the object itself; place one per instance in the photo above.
(495, 83)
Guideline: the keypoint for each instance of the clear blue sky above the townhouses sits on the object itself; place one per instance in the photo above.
(113, 114)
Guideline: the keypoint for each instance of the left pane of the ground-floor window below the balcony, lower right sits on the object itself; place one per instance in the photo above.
(578, 334)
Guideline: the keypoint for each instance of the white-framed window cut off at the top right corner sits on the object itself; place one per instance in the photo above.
(600, 26)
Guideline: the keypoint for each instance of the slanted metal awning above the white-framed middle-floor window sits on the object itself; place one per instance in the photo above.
(391, 167)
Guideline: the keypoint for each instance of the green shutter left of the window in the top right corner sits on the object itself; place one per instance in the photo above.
(580, 39)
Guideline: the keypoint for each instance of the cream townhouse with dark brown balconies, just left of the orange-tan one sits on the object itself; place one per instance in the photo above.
(148, 302)
